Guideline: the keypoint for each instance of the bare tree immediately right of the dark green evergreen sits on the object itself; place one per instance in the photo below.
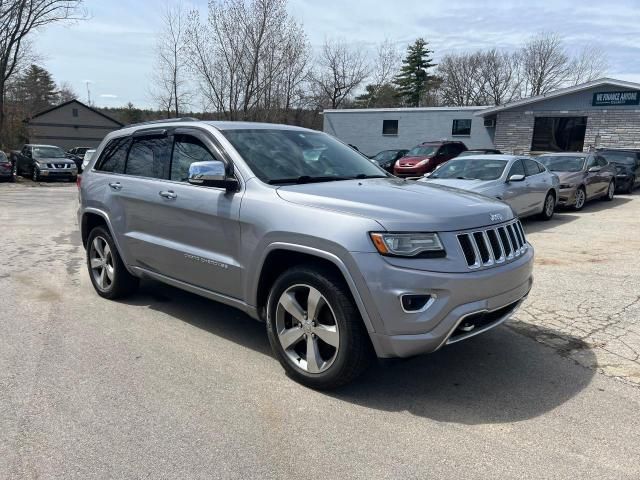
(462, 82)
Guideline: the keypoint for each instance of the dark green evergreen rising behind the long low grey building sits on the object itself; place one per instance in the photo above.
(413, 80)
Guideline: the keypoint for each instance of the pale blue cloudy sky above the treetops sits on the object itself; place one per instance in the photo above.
(114, 49)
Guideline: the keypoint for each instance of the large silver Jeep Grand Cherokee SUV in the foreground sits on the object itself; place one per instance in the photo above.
(340, 259)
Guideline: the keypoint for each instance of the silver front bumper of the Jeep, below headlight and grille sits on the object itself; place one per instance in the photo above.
(483, 299)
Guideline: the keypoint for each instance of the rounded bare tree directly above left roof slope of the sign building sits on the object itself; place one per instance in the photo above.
(545, 64)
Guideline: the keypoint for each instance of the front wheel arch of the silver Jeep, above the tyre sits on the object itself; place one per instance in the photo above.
(279, 257)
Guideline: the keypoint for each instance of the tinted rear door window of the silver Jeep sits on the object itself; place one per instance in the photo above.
(149, 157)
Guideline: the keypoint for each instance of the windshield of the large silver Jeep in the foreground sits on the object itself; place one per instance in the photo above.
(295, 156)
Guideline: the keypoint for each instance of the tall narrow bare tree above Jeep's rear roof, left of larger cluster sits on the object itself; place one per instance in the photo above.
(170, 82)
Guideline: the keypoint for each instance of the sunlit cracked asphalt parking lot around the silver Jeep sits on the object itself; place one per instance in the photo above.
(169, 385)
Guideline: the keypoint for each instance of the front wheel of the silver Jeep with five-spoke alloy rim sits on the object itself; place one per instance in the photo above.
(315, 329)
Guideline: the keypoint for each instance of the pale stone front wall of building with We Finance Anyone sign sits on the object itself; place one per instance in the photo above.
(617, 128)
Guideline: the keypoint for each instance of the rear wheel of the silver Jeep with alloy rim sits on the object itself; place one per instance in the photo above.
(108, 274)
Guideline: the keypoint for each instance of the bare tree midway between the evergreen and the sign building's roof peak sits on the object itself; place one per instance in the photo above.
(501, 77)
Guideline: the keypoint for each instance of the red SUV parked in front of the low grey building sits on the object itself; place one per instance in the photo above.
(425, 157)
